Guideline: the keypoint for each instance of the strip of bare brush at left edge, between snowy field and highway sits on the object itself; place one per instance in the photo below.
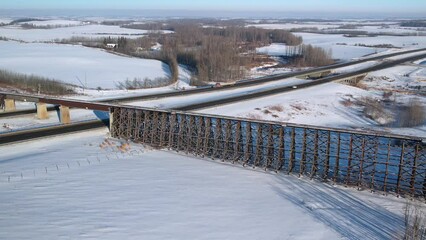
(34, 84)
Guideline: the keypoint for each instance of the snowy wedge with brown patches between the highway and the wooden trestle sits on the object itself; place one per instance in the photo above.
(316, 106)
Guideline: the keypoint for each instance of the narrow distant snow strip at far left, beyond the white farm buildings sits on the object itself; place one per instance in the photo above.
(48, 35)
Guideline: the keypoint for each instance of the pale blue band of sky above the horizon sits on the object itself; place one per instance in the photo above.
(228, 5)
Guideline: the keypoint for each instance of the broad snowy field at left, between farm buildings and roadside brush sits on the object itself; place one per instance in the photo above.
(81, 66)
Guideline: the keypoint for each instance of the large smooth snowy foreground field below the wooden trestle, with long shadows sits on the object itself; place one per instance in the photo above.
(82, 186)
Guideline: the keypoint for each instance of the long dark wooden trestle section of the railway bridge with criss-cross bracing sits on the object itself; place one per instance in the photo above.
(388, 163)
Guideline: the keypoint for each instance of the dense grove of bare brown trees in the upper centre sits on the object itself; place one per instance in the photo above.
(217, 54)
